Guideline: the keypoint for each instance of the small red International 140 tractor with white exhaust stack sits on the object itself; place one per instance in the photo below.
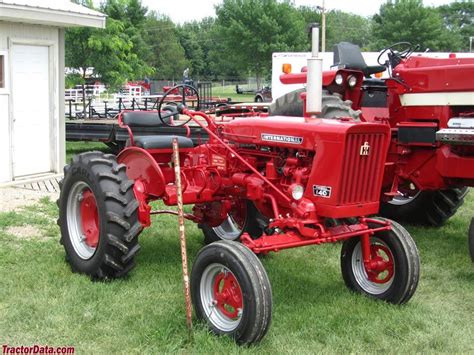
(259, 185)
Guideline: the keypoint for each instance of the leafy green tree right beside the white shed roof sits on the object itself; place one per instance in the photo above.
(110, 52)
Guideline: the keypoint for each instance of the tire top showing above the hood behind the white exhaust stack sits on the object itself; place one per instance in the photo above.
(332, 106)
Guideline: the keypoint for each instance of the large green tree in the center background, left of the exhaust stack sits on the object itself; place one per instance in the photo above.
(251, 30)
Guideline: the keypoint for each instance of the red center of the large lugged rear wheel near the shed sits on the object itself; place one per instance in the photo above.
(89, 218)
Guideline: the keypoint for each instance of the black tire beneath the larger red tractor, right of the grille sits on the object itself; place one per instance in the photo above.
(432, 208)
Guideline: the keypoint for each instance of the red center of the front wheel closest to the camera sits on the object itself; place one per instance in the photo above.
(228, 295)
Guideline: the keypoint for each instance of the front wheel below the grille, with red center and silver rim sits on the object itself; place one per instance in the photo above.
(397, 279)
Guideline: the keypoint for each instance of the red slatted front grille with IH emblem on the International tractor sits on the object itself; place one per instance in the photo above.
(362, 168)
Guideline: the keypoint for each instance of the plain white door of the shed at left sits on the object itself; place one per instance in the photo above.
(31, 119)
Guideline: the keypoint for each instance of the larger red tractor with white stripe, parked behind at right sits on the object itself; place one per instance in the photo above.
(428, 103)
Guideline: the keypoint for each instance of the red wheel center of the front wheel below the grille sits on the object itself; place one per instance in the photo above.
(381, 265)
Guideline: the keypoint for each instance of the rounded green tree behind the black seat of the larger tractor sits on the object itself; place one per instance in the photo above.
(410, 21)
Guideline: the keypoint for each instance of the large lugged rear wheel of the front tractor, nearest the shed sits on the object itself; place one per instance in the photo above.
(98, 216)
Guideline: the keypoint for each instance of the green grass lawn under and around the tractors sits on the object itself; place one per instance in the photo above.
(42, 302)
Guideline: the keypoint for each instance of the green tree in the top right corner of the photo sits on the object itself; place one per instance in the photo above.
(458, 17)
